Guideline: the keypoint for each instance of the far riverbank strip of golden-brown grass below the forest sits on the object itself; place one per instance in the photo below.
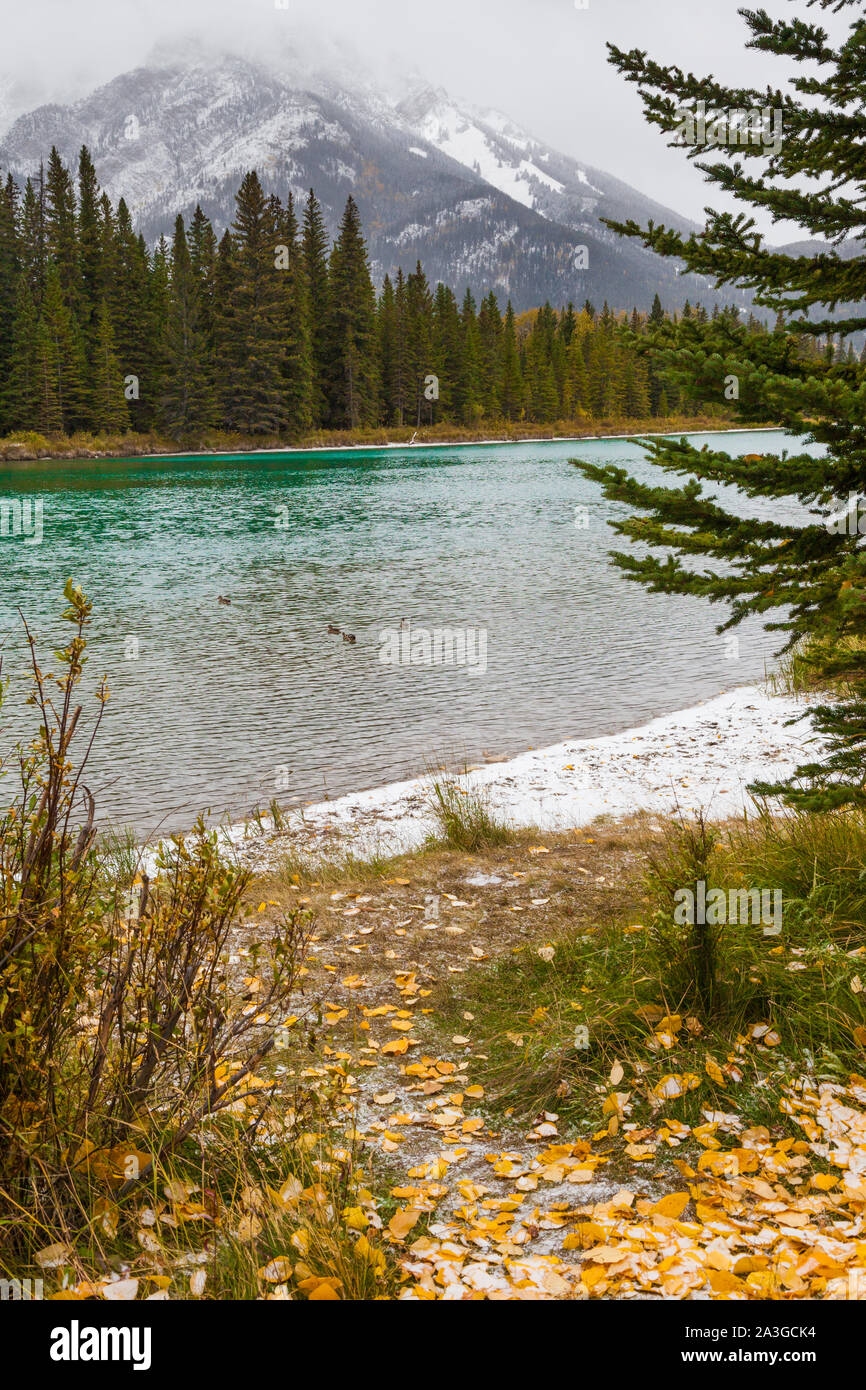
(33, 447)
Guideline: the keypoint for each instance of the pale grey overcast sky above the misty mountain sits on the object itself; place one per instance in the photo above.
(541, 62)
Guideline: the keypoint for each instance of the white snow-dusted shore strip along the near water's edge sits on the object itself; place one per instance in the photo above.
(700, 758)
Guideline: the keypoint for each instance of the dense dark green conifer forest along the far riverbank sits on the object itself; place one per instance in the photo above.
(273, 330)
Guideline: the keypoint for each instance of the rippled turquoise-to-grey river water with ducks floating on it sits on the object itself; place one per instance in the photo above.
(229, 705)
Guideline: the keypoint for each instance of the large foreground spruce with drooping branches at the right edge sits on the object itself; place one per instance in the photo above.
(815, 573)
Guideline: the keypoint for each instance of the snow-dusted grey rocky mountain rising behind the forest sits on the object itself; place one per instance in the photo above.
(473, 197)
